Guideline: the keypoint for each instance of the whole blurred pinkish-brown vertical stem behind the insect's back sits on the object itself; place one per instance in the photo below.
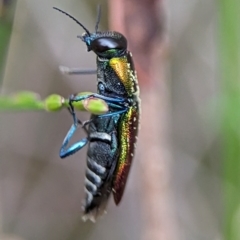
(141, 21)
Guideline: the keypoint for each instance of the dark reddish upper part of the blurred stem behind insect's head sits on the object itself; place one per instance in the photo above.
(142, 22)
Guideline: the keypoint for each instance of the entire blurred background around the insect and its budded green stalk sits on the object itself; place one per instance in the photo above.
(184, 182)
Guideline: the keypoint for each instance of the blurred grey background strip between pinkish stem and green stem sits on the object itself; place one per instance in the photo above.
(194, 88)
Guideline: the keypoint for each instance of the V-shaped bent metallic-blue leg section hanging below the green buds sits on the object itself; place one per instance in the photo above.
(67, 151)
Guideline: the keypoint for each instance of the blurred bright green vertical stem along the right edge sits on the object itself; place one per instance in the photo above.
(229, 49)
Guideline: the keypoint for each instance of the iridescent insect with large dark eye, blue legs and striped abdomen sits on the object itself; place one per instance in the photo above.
(111, 137)
